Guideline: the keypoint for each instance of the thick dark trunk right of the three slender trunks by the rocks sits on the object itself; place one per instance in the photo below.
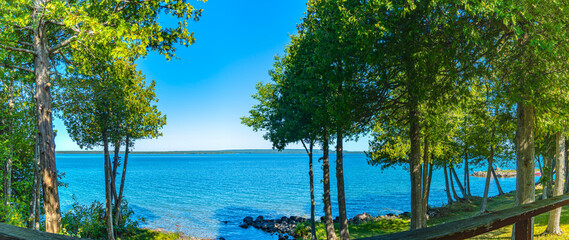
(415, 166)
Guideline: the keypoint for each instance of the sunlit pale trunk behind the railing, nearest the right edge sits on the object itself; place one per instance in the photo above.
(555, 215)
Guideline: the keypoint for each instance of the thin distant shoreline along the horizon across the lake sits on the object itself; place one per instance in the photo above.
(245, 151)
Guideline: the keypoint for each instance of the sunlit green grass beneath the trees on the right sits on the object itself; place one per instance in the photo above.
(453, 212)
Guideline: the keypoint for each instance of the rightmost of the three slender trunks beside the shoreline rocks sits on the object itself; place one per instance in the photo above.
(344, 231)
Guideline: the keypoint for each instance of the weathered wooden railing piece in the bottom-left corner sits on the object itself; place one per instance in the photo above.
(9, 232)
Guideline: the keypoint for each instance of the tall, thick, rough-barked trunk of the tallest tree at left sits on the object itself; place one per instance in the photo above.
(44, 121)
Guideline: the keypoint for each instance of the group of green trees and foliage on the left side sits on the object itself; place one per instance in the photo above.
(76, 59)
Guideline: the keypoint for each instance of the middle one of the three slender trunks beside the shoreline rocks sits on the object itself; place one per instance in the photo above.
(330, 232)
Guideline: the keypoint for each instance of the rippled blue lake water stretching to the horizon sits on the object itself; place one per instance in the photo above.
(197, 193)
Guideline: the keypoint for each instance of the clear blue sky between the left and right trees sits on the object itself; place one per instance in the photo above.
(207, 90)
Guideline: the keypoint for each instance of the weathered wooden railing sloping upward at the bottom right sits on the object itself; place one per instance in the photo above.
(471, 227)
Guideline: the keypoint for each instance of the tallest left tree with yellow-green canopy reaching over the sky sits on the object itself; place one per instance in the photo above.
(51, 31)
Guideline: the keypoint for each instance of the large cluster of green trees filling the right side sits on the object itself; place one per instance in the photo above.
(436, 84)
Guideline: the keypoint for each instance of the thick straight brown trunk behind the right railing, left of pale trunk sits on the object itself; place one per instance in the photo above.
(525, 185)
